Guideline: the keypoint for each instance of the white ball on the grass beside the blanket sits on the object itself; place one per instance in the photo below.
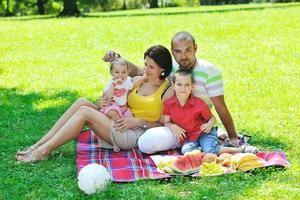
(93, 178)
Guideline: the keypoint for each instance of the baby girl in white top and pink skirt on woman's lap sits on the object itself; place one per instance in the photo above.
(116, 90)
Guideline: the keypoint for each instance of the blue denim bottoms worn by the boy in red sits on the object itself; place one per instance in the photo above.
(207, 143)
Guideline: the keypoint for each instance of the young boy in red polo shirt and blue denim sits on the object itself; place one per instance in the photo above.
(190, 119)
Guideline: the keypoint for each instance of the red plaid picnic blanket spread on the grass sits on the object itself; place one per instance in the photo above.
(132, 165)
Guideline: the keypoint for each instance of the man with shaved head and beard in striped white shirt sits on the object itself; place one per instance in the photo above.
(209, 85)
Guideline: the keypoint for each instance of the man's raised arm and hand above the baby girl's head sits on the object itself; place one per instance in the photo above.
(134, 70)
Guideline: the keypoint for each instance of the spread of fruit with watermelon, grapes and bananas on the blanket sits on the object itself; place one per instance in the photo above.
(210, 164)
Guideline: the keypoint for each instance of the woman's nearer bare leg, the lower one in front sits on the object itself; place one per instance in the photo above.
(99, 122)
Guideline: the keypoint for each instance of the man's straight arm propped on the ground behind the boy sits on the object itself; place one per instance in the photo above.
(226, 118)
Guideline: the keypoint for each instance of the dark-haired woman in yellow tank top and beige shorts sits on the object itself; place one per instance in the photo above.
(145, 102)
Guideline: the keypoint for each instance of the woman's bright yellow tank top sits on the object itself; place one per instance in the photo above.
(147, 107)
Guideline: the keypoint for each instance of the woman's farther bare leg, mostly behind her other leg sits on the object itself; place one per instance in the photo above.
(59, 124)
